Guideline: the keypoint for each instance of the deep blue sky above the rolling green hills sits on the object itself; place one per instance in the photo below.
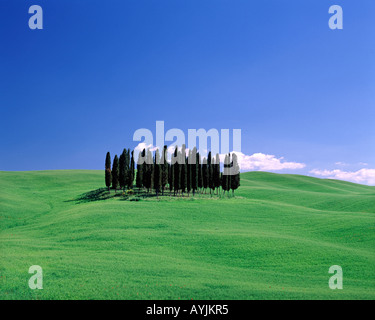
(100, 70)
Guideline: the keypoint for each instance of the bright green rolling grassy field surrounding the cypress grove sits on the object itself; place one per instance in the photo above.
(275, 240)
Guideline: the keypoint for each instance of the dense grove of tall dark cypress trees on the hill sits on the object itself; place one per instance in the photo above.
(183, 174)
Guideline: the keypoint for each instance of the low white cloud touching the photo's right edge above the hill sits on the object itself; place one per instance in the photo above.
(364, 176)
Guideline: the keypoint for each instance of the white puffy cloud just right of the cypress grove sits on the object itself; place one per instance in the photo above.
(264, 162)
